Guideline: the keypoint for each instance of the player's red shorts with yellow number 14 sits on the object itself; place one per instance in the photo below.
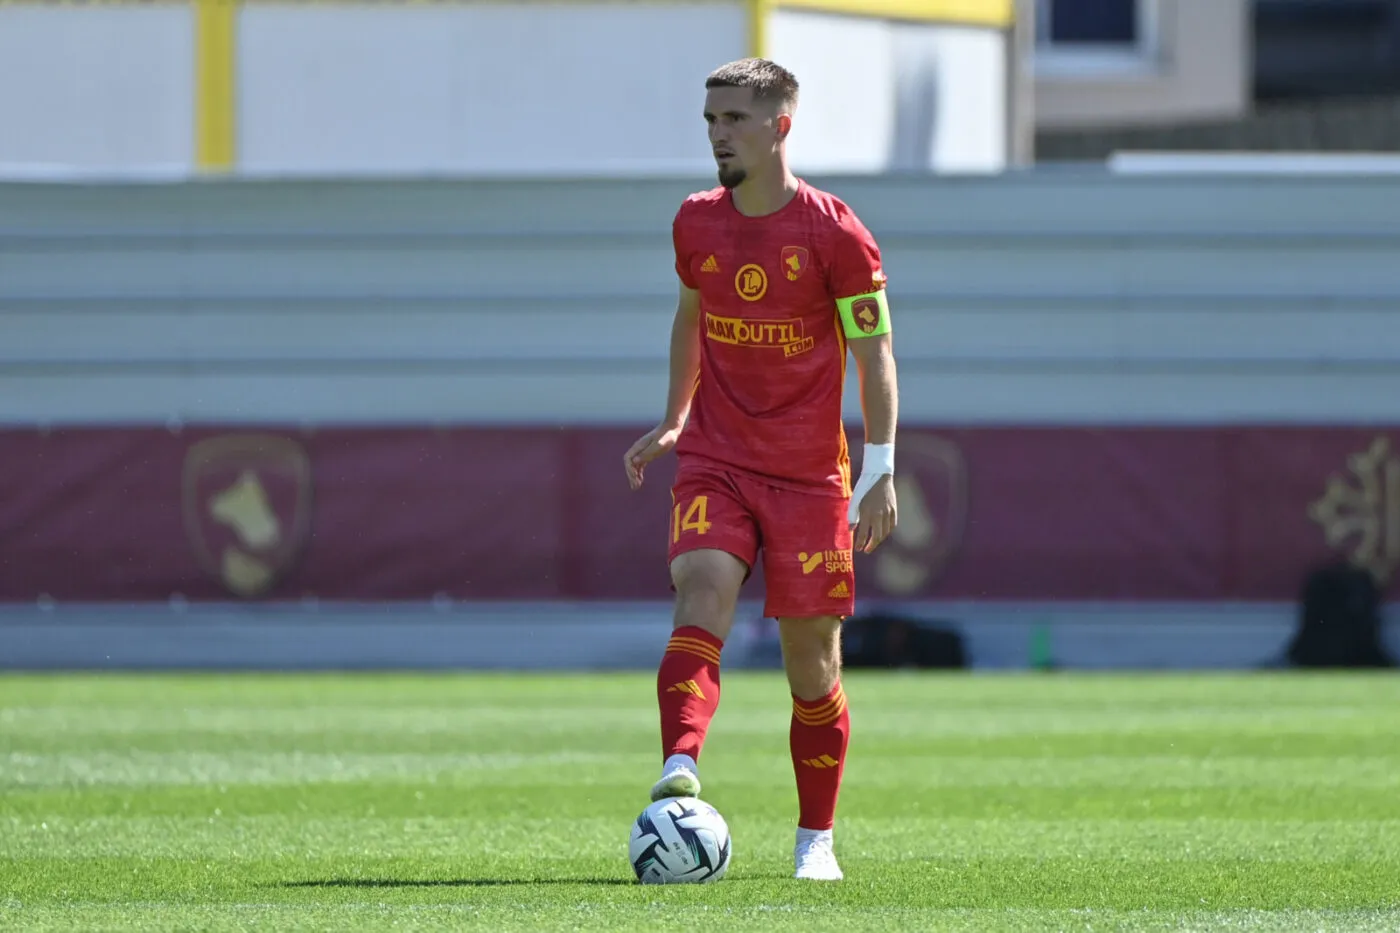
(804, 537)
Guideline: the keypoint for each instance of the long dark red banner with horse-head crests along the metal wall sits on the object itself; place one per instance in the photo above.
(409, 513)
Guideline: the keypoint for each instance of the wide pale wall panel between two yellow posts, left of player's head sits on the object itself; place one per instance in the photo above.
(479, 89)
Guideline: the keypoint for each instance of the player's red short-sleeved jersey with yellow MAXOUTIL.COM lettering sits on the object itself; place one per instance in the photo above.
(772, 351)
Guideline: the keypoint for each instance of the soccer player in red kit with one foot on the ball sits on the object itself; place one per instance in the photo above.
(778, 281)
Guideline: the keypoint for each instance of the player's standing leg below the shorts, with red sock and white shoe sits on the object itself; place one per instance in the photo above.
(820, 733)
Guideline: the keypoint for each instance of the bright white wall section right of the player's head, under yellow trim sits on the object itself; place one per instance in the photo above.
(895, 96)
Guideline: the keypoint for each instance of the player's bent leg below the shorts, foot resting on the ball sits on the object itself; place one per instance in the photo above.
(688, 683)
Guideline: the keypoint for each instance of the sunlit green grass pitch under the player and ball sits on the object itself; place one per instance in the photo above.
(503, 803)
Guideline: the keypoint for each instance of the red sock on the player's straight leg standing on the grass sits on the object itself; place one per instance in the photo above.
(820, 733)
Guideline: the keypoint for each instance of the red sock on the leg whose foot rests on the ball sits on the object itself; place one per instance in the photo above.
(688, 691)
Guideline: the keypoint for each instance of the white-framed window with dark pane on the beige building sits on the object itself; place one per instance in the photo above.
(1093, 37)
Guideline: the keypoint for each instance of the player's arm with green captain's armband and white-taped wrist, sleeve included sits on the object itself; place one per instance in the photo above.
(863, 313)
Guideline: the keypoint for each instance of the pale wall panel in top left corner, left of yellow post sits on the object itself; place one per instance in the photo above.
(97, 88)
